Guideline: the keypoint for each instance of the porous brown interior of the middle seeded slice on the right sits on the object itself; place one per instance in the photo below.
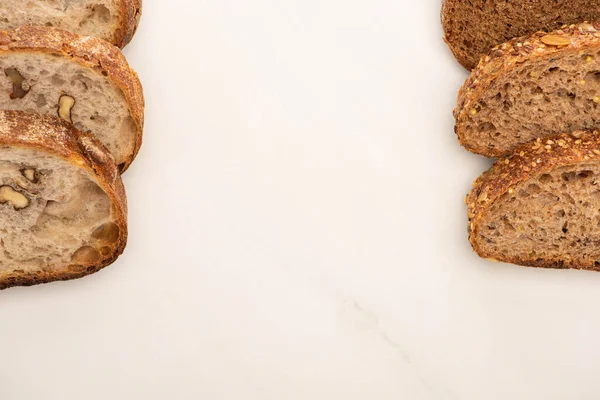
(536, 99)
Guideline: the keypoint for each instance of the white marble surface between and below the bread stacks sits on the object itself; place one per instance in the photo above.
(297, 230)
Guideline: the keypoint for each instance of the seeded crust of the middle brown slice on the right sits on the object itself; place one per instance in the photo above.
(503, 58)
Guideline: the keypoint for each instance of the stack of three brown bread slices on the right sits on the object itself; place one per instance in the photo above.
(533, 103)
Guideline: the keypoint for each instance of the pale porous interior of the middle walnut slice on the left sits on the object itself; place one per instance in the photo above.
(100, 107)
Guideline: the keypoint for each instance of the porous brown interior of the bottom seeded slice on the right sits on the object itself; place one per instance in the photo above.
(553, 217)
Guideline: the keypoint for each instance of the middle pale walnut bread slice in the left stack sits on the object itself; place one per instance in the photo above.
(84, 80)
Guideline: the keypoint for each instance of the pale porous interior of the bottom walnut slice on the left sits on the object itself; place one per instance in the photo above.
(65, 207)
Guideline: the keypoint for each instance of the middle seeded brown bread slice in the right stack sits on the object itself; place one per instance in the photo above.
(532, 87)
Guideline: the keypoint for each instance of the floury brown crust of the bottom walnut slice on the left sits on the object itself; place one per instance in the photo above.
(55, 136)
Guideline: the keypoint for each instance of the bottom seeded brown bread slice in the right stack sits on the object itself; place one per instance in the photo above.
(539, 207)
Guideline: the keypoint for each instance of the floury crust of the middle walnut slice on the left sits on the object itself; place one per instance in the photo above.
(90, 52)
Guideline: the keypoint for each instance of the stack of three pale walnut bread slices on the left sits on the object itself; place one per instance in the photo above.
(71, 120)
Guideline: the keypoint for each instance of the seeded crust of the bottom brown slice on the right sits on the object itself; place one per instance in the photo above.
(546, 154)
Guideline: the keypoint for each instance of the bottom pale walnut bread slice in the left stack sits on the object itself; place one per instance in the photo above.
(62, 203)
